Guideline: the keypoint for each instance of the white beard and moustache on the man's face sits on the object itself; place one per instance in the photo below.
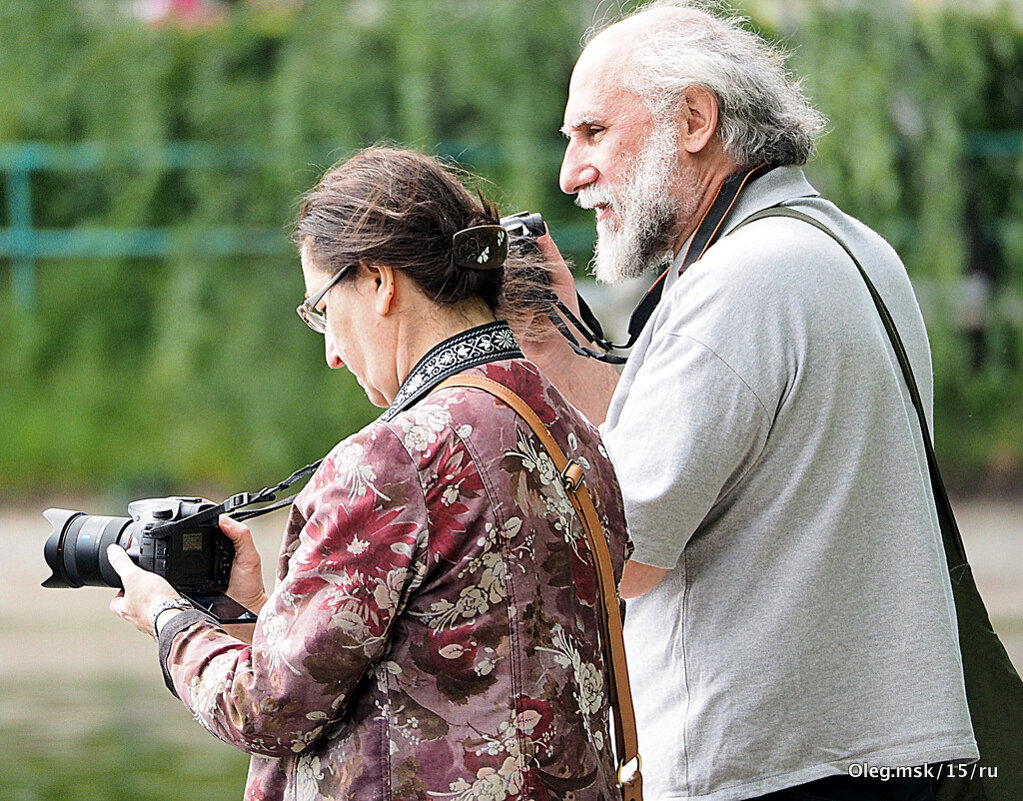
(648, 209)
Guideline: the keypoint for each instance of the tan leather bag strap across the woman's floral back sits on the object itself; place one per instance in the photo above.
(627, 744)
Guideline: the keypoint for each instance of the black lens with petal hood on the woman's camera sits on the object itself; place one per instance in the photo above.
(76, 552)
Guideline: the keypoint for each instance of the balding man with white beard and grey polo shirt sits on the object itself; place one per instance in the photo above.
(791, 625)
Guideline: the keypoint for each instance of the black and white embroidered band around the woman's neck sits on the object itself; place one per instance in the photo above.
(493, 342)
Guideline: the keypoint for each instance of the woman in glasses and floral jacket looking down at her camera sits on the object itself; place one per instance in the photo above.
(433, 634)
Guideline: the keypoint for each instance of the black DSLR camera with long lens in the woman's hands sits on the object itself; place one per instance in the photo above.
(176, 539)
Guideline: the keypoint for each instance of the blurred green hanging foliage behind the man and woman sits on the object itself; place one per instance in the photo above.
(187, 369)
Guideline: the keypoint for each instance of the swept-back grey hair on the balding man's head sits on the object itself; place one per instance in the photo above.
(764, 115)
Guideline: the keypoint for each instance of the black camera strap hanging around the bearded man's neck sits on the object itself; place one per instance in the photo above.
(706, 235)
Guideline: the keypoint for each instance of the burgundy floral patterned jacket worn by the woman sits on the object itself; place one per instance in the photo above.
(433, 634)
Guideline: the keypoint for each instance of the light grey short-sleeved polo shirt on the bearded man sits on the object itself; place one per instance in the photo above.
(770, 458)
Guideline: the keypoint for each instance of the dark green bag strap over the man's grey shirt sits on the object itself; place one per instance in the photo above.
(955, 551)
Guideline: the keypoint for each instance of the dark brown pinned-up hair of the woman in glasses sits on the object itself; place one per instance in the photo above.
(401, 209)
